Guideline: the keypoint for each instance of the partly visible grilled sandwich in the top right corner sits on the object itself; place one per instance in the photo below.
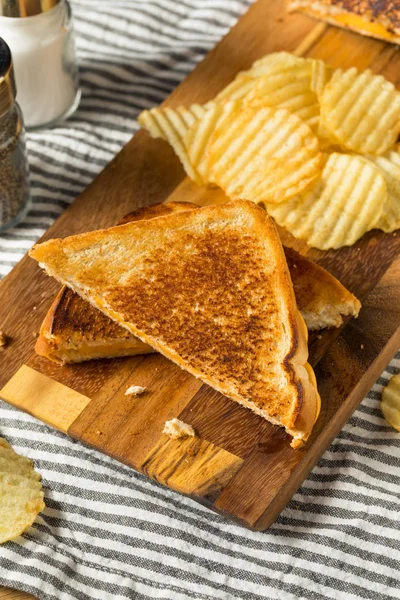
(376, 18)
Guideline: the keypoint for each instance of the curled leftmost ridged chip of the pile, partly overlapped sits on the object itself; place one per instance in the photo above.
(172, 125)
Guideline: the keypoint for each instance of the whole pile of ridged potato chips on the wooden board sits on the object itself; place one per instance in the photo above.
(316, 146)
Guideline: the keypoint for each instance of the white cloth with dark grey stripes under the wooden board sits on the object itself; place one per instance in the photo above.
(108, 532)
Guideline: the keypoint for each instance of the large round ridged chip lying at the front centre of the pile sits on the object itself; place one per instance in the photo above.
(258, 154)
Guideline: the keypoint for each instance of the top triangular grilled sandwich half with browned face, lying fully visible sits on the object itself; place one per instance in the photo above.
(209, 289)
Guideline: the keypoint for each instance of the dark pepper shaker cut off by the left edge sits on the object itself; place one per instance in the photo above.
(14, 173)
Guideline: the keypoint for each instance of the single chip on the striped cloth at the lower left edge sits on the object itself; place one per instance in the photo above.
(21, 495)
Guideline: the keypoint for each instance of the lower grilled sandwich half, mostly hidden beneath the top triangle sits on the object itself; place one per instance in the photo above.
(74, 331)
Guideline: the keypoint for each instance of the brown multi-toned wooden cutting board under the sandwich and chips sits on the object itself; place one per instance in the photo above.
(239, 465)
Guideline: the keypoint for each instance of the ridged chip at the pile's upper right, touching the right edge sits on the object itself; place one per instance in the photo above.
(361, 110)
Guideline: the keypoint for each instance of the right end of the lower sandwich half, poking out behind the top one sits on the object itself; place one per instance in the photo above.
(322, 300)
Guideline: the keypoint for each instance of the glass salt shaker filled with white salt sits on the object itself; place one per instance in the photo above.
(40, 35)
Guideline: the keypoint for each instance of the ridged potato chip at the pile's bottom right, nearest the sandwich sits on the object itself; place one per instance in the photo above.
(343, 204)
